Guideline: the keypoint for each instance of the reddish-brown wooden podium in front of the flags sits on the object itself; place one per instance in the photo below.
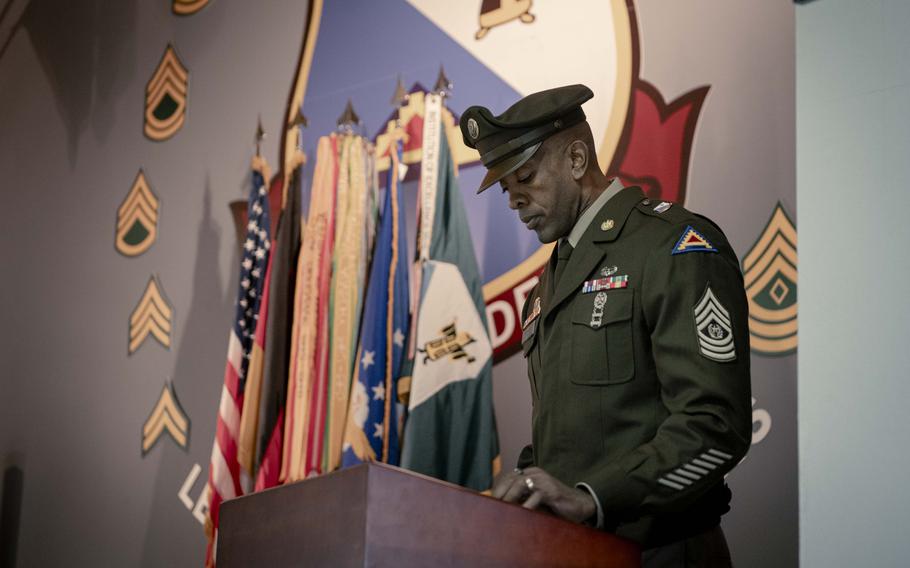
(378, 515)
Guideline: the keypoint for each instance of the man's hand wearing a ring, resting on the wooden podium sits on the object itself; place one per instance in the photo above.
(534, 487)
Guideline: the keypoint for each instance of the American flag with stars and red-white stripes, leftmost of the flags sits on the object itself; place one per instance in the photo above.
(224, 471)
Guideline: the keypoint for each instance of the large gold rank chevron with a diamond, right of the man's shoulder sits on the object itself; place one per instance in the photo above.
(770, 273)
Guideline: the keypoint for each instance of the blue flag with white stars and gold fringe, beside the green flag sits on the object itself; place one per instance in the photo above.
(371, 432)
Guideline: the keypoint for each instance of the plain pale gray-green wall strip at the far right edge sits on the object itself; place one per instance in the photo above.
(853, 144)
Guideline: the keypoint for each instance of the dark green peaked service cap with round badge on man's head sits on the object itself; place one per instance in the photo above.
(507, 141)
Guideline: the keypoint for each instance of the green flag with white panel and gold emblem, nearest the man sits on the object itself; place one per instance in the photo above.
(450, 432)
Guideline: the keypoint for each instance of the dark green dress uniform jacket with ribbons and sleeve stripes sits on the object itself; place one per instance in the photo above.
(638, 359)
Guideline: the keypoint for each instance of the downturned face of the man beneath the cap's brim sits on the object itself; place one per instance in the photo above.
(544, 193)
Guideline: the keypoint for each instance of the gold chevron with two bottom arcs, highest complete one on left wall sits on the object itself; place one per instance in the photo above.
(165, 97)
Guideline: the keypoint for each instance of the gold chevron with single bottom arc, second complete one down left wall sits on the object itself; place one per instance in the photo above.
(137, 219)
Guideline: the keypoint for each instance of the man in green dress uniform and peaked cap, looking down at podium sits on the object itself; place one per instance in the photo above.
(636, 341)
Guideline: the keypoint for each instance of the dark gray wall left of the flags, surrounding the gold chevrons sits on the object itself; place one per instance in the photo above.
(71, 106)
